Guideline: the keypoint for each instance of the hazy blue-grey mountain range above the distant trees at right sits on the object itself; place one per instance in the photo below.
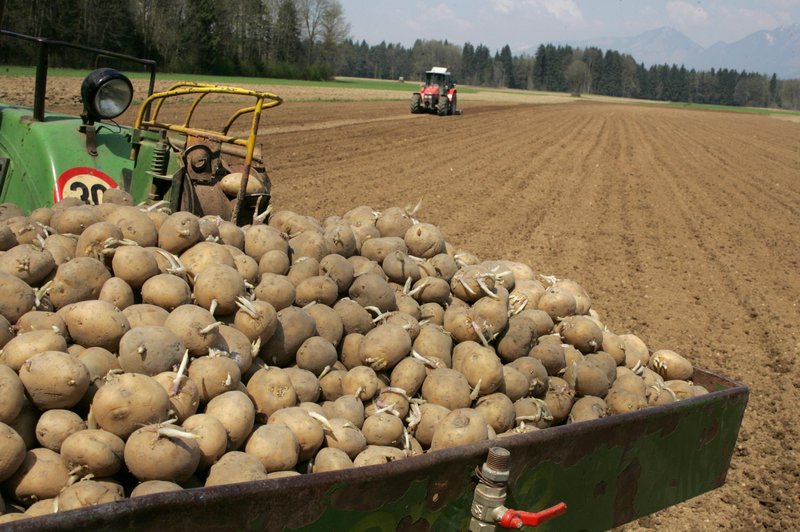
(768, 51)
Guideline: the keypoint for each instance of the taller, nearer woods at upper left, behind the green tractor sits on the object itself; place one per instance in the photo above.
(274, 38)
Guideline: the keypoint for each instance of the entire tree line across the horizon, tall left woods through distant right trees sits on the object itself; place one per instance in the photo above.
(309, 39)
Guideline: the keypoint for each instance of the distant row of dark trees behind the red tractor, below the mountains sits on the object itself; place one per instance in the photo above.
(567, 69)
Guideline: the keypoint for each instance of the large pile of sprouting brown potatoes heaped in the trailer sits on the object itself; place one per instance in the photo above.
(144, 351)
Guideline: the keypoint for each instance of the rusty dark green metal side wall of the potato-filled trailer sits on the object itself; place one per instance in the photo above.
(606, 473)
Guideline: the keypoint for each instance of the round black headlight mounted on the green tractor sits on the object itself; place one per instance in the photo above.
(106, 93)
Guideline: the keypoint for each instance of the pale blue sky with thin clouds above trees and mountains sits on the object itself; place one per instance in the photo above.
(527, 23)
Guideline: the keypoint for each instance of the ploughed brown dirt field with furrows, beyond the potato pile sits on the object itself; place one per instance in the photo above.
(684, 226)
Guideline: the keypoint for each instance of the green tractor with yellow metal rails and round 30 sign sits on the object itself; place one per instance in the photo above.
(46, 157)
